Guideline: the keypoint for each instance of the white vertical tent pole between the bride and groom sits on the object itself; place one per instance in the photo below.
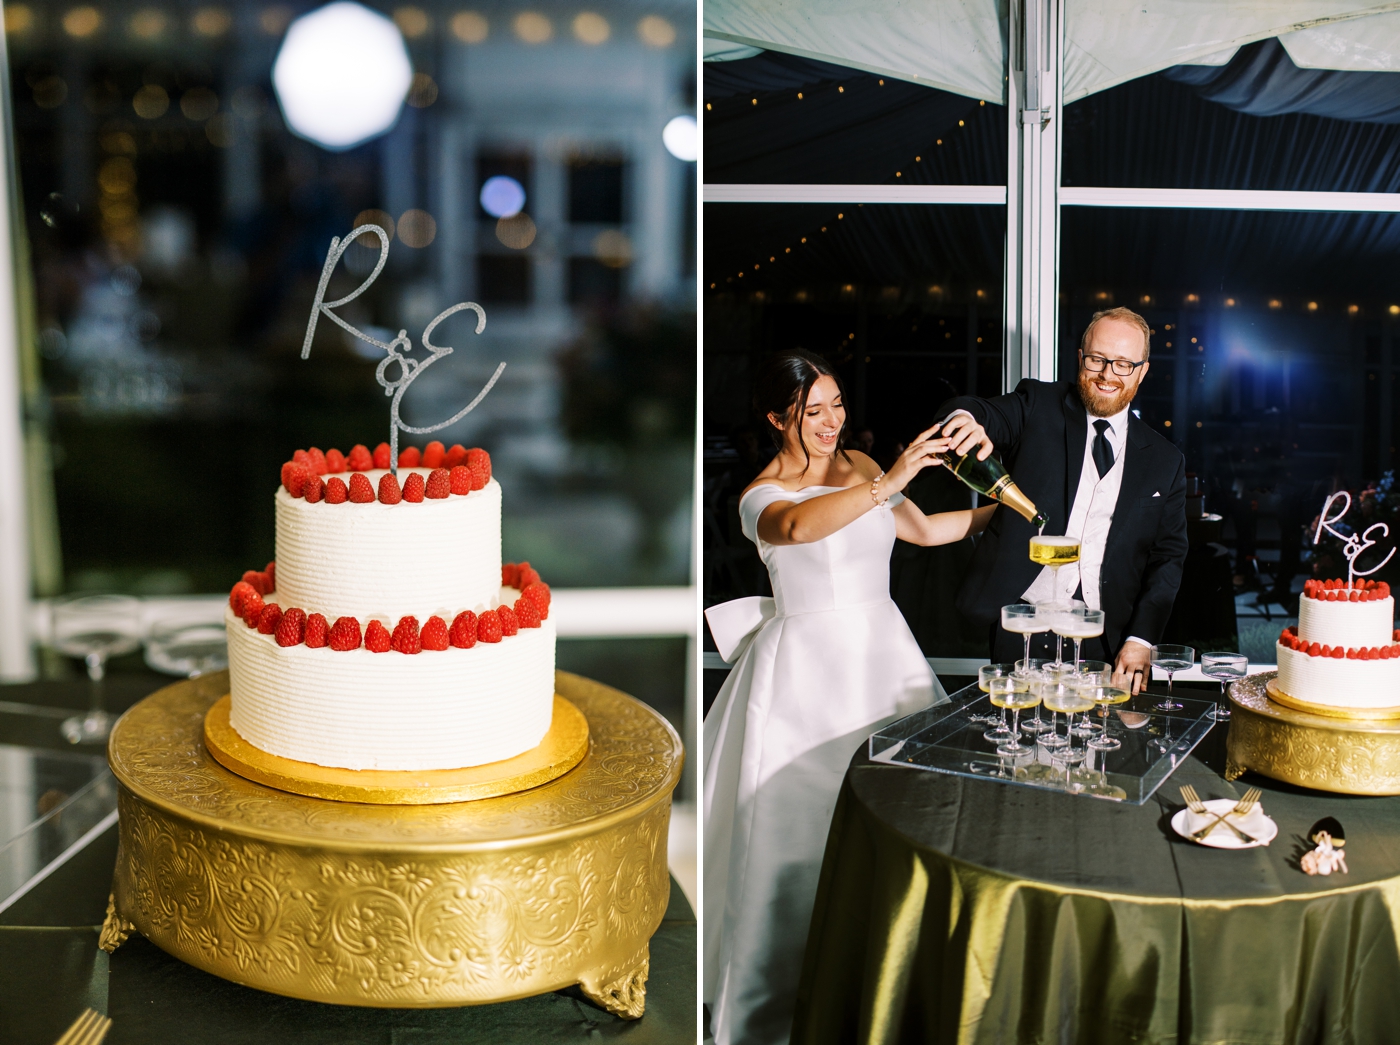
(1032, 193)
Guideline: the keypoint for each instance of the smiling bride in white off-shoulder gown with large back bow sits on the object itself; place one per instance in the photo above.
(824, 665)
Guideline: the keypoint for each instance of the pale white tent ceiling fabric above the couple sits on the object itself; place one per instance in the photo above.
(961, 46)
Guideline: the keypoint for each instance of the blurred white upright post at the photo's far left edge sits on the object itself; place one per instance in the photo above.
(16, 652)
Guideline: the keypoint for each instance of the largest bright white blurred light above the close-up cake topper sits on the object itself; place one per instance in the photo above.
(342, 75)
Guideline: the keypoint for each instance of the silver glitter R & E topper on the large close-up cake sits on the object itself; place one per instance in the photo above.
(397, 351)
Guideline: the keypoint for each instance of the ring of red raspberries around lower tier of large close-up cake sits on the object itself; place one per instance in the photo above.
(295, 627)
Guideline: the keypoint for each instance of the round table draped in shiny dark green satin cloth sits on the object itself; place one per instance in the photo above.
(953, 910)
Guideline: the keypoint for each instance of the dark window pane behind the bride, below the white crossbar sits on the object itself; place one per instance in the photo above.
(906, 302)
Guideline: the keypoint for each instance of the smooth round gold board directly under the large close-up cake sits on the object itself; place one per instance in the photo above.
(562, 749)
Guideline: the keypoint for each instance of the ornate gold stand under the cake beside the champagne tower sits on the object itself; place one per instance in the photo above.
(1325, 753)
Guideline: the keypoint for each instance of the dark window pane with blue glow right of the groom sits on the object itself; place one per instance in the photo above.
(1272, 369)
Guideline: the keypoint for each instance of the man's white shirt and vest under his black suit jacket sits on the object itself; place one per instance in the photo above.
(1091, 516)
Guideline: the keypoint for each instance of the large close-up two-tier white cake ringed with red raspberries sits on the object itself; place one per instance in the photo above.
(387, 634)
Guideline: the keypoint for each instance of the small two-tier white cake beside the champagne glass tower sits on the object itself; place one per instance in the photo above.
(1345, 652)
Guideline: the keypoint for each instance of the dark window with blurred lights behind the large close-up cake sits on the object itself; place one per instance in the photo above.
(178, 229)
